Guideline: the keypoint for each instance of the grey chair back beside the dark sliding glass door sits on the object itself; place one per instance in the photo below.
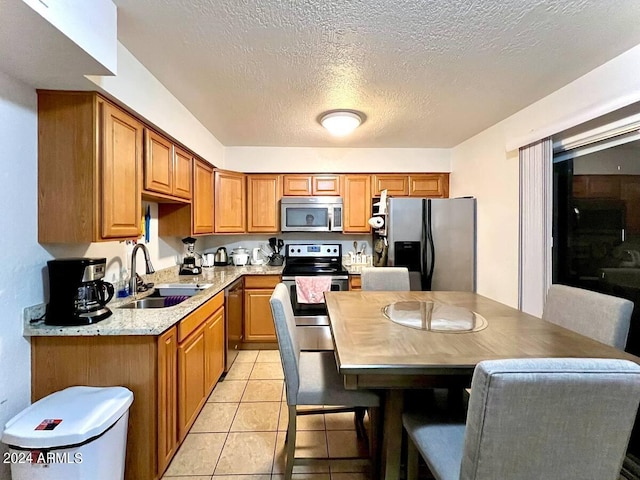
(602, 317)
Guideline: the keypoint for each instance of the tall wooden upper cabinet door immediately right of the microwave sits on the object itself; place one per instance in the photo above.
(357, 203)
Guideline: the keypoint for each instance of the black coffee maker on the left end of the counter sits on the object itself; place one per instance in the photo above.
(77, 293)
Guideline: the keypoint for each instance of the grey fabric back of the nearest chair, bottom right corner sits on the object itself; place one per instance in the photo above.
(549, 418)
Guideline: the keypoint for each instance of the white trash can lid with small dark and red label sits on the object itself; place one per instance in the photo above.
(68, 417)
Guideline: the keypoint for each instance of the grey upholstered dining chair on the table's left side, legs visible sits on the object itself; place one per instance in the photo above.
(312, 379)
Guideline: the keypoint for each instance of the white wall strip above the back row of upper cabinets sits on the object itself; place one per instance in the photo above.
(337, 160)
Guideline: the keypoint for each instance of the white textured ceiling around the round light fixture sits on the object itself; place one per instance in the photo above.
(425, 73)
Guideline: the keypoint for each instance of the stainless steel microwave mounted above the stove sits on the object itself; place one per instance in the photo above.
(311, 214)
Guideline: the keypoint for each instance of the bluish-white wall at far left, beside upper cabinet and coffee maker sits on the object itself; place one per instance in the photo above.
(21, 257)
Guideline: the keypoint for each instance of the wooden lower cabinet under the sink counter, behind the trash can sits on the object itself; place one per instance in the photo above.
(170, 376)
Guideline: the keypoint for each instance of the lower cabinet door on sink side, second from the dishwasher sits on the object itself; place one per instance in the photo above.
(191, 380)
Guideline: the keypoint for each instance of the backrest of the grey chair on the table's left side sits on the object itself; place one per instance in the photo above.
(285, 323)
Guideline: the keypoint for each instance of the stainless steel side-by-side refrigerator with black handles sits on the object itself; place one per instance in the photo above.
(436, 239)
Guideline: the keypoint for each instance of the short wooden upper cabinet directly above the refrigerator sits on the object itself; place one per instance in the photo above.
(413, 185)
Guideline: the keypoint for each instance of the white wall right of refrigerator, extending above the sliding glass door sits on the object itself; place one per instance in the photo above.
(487, 164)
